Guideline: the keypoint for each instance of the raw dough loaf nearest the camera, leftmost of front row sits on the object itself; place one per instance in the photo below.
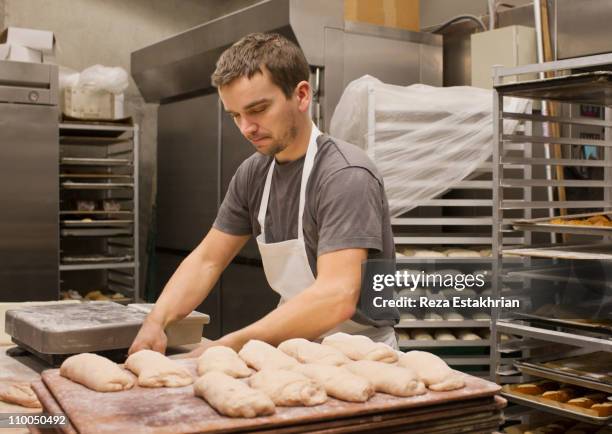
(232, 397)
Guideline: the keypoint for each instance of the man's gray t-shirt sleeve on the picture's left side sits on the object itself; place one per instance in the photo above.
(233, 216)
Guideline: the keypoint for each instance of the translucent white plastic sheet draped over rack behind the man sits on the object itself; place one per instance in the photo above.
(423, 139)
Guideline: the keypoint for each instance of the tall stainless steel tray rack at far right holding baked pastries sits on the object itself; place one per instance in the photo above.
(565, 127)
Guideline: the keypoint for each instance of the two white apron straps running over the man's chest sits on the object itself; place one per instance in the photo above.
(311, 153)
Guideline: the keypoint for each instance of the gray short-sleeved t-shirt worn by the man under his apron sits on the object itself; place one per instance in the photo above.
(346, 206)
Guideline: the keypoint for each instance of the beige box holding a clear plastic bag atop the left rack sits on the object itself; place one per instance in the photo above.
(83, 103)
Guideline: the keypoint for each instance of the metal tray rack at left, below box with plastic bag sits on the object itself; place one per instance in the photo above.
(99, 246)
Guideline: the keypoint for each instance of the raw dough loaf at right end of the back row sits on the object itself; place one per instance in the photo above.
(358, 347)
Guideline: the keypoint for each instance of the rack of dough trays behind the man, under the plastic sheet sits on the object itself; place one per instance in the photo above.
(461, 218)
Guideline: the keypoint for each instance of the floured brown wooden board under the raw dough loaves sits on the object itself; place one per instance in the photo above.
(170, 410)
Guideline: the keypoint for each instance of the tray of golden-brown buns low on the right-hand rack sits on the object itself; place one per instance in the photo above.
(564, 399)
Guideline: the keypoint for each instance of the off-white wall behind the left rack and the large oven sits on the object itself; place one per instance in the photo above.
(106, 32)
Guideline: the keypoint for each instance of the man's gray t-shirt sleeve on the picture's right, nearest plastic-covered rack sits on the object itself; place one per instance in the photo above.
(350, 211)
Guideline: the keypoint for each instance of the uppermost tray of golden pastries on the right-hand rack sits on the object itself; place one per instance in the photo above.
(599, 223)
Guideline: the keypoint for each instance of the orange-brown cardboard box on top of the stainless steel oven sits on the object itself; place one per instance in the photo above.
(403, 14)
